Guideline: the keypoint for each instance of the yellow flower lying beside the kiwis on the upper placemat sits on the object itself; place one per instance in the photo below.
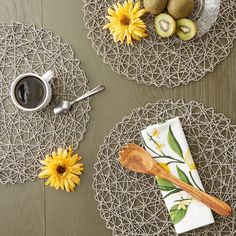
(125, 23)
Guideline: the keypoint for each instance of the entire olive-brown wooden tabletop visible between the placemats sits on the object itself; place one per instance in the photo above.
(30, 209)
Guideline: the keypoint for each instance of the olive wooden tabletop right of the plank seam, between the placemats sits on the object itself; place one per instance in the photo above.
(77, 211)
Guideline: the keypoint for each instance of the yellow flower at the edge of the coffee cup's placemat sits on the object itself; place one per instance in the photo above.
(62, 169)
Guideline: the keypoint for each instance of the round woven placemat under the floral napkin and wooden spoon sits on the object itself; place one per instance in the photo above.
(132, 204)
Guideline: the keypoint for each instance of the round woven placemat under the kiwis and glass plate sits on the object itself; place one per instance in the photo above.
(162, 62)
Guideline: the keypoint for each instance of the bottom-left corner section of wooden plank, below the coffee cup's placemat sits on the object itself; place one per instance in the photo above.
(22, 209)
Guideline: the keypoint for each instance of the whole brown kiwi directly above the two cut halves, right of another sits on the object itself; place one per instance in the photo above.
(180, 8)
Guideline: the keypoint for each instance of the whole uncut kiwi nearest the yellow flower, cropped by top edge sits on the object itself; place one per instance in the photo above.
(155, 6)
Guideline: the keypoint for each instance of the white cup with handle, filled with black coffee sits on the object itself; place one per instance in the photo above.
(31, 92)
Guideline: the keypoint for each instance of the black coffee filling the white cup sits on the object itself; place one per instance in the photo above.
(30, 92)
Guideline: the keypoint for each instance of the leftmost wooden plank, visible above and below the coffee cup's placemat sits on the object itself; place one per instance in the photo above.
(22, 205)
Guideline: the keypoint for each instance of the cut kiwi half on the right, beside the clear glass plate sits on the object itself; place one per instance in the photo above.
(186, 29)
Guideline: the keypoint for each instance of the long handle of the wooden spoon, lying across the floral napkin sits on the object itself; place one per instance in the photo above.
(214, 203)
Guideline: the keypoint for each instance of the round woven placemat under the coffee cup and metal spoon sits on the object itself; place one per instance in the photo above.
(25, 137)
